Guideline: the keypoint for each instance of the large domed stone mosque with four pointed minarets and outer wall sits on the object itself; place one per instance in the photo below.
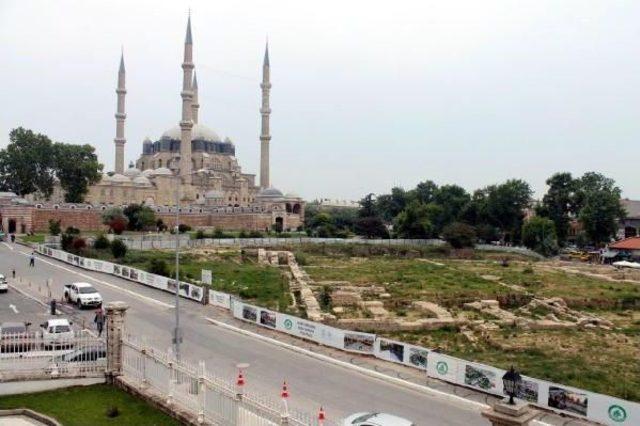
(189, 164)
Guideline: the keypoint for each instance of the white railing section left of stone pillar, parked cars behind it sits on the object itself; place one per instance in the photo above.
(32, 356)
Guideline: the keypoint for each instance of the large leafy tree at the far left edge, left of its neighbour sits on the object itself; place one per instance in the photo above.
(26, 164)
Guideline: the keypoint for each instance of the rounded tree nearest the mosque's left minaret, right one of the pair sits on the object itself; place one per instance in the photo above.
(77, 167)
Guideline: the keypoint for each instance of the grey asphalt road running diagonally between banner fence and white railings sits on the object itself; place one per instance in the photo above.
(311, 382)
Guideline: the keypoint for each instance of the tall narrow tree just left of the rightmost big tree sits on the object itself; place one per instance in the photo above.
(559, 203)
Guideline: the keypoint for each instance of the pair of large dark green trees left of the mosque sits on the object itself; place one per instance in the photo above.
(31, 163)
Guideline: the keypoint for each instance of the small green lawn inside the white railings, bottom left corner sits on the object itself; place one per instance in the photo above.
(88, 405)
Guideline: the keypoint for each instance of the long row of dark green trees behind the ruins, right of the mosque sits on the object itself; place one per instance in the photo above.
(504, 212)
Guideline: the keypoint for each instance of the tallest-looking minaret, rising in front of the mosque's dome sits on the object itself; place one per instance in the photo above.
(186, 124)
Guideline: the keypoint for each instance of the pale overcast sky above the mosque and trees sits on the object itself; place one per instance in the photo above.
(366, 94)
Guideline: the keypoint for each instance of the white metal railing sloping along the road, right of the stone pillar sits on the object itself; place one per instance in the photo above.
(213, 399)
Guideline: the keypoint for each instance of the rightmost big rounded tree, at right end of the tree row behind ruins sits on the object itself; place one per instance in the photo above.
(598, 201)
